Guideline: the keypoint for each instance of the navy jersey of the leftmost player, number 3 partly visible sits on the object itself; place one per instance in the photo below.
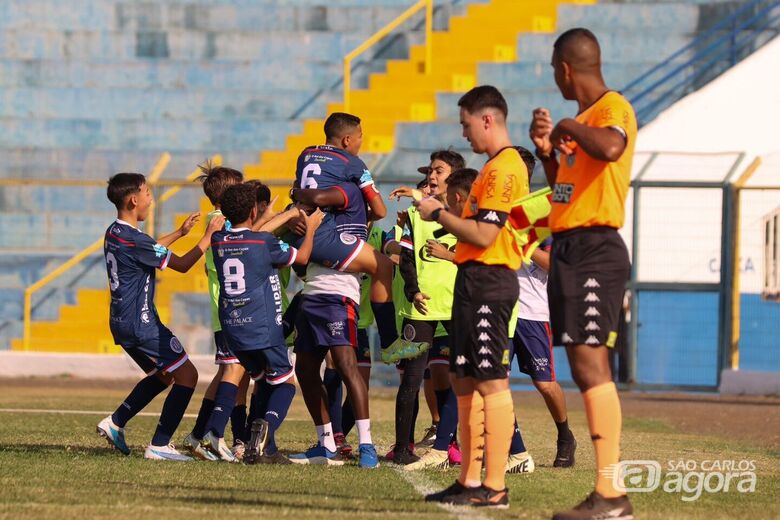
(132, 257)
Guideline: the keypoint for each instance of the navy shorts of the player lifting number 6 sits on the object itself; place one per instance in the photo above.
(324, 321)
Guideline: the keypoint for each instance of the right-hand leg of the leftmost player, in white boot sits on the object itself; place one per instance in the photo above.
(172, 358)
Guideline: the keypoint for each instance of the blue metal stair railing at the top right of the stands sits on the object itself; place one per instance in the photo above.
(717, 49)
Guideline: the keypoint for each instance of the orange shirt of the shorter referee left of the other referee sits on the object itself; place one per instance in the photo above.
(503, 180)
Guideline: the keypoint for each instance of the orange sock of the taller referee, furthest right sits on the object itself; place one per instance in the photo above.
(602, 407)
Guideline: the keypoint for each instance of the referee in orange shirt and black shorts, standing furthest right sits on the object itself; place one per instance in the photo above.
(589, 265)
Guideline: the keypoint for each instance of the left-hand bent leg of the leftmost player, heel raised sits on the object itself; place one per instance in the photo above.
(112, 428)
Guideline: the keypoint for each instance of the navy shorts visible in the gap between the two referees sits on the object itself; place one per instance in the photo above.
(533, 346)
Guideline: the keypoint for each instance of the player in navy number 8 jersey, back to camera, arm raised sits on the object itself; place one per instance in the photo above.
(250, 312)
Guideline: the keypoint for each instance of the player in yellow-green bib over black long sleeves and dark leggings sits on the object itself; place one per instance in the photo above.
(429, 283)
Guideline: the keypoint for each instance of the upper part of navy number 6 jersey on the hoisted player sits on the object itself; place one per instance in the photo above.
(322, 167)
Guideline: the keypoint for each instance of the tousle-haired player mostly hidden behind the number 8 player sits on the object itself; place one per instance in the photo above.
(215, 180)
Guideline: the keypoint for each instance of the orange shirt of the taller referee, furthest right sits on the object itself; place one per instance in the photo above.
(589, 192)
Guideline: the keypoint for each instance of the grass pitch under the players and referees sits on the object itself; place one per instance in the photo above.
(54, 465)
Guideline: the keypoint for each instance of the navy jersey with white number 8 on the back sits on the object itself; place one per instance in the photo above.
(250, 292)
